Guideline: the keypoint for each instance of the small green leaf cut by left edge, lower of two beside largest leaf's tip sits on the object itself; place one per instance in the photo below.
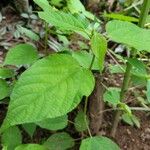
(4, 89)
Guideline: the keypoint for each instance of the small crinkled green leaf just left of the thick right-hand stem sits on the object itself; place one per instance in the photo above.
(112, 96)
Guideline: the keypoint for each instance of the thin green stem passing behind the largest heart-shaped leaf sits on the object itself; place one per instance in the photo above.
(86, 102)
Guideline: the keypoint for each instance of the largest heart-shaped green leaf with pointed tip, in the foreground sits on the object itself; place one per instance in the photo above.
(50, 88)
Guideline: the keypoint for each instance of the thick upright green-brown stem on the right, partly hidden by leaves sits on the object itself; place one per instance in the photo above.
(142, 20)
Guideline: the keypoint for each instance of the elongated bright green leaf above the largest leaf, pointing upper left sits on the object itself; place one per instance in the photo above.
(63, 21)
